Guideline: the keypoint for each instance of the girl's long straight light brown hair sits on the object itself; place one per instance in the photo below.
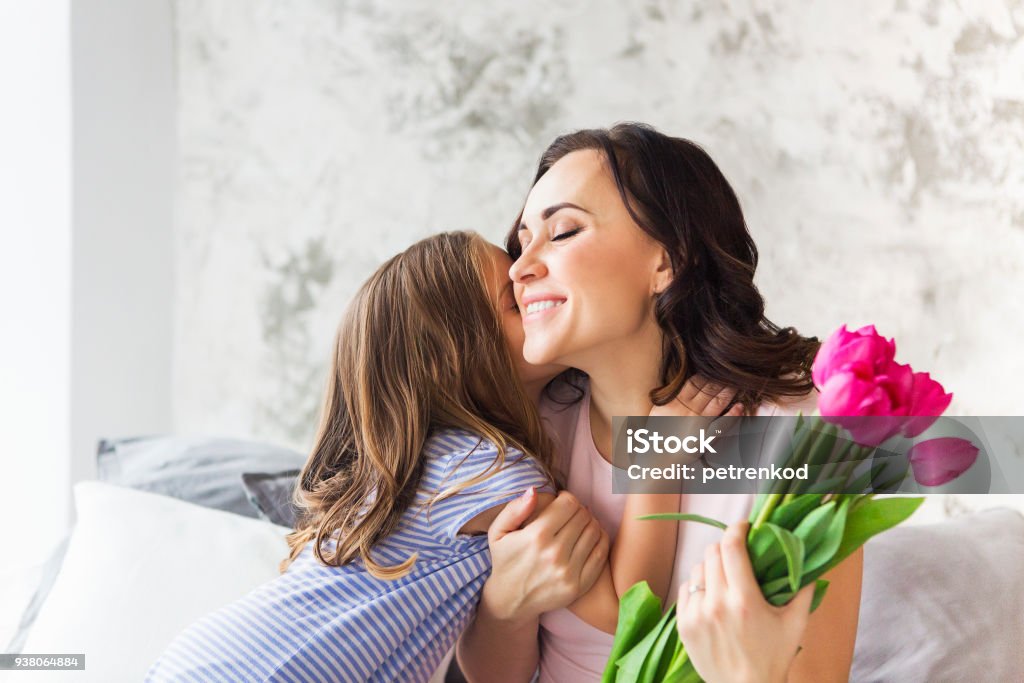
(420, 349)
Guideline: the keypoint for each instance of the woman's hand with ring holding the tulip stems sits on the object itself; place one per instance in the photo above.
(732, 633)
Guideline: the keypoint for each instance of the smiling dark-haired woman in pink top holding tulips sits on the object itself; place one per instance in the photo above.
(634, 266)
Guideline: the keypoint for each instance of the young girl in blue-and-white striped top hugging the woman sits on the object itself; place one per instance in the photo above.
(426, 433)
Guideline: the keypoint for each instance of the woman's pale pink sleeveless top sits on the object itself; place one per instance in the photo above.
(572, 651)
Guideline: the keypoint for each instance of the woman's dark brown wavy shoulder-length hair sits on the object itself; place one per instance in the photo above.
(712, 314)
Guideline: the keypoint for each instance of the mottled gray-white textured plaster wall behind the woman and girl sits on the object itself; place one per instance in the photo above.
(878, 150)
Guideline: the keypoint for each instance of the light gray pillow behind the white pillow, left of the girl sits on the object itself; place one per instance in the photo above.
(202, 471)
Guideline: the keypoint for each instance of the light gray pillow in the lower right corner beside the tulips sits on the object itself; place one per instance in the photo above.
(945, 603)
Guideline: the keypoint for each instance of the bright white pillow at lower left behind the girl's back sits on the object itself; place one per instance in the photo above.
(140, 569)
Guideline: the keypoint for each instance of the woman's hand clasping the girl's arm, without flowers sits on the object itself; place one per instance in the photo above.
(546, 565)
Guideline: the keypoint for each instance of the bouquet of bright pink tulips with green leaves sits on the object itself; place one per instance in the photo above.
(801, 530)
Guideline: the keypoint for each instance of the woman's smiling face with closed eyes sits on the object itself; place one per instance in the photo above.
(586, 280)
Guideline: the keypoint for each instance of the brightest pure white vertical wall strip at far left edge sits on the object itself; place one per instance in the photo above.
(35, 289)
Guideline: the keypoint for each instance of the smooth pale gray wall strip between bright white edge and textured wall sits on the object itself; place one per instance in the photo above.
(124, 172)
